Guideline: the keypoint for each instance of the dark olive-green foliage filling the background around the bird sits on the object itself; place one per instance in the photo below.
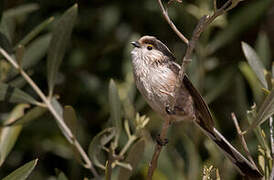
(79, 55)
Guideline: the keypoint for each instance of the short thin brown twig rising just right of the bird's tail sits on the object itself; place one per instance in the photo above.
(242, 139)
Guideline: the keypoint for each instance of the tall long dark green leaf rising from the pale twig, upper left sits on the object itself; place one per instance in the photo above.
(60, 38)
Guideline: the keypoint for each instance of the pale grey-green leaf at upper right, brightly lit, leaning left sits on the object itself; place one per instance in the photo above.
(255, 63)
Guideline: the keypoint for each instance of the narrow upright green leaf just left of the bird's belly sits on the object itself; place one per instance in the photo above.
(115, 109)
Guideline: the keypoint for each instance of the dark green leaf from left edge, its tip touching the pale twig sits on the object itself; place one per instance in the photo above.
(14, 95)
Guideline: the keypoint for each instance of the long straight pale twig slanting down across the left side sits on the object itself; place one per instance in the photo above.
(59, 119)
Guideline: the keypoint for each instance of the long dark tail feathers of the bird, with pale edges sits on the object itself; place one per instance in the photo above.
(240, 162)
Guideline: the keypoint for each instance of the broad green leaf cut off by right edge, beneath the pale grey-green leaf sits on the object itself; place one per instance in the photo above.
(266, 110)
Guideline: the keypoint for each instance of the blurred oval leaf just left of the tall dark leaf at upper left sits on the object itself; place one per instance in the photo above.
(35, 51)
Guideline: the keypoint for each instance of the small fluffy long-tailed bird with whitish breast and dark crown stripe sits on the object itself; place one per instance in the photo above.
(155, 74)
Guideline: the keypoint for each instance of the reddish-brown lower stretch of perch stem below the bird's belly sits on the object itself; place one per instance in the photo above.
(158, 149)
